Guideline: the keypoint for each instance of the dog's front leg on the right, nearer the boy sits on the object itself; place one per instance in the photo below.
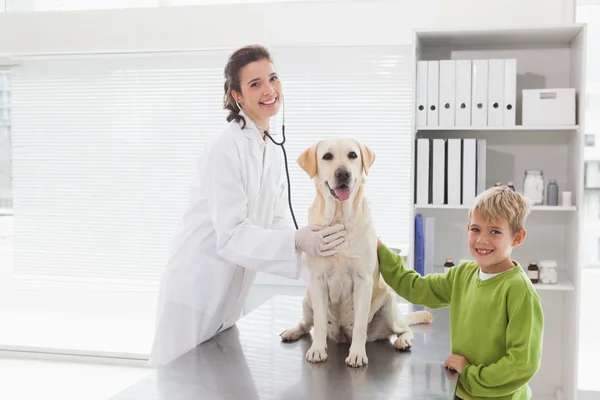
(363, 289)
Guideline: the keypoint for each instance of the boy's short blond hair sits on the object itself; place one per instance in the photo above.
(501, 203)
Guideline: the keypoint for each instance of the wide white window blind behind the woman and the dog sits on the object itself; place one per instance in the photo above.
(105, 148)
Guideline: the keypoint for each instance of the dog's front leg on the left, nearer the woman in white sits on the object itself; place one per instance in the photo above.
(320, 305)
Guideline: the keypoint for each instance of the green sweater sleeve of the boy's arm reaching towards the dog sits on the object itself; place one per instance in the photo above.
(433, 290)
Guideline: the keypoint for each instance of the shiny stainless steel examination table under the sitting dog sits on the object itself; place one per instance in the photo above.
(249, 361)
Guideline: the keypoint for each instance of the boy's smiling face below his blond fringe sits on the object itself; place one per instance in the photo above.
(491, 243)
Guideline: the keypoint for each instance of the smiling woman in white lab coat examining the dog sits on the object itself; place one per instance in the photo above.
(235, 224)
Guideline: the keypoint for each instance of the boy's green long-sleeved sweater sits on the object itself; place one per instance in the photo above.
(496, 324)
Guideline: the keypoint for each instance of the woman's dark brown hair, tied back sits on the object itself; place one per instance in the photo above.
(238, 60)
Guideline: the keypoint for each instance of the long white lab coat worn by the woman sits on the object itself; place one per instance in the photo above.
(235, 225)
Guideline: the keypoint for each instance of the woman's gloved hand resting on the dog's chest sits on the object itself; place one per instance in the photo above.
(320, 241)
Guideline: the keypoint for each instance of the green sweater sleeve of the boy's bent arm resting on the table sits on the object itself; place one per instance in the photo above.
(523, 352)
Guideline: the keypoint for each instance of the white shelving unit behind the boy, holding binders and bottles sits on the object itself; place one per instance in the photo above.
(547, 57)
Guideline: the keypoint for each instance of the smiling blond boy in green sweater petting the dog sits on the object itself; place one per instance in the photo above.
(496, 321)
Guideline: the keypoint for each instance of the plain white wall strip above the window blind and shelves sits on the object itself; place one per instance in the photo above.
(198, 27)
